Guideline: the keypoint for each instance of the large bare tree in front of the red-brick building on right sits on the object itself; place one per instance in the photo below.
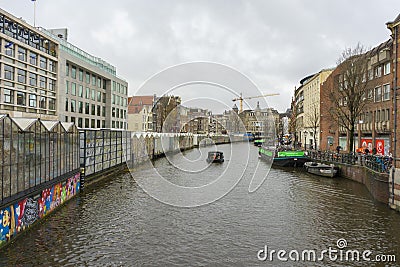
(349, 93)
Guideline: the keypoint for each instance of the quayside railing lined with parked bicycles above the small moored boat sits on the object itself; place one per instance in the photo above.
(376, 163)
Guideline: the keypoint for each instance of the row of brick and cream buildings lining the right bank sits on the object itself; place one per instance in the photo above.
(376, 127)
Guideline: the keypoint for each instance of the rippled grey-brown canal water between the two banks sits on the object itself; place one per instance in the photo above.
(116, 223)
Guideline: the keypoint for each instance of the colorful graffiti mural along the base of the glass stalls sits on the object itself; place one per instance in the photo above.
(20, 215)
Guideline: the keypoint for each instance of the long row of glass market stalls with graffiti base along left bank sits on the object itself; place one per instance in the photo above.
(43, 164)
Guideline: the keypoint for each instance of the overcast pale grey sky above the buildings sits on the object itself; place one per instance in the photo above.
(274, 43)
